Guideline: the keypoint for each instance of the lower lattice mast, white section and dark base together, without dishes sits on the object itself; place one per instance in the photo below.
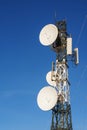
(61, 113)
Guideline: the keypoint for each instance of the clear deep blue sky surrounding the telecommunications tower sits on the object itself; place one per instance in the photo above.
(24, 62)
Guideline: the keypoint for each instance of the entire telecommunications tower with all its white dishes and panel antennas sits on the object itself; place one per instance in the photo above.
(56, 96)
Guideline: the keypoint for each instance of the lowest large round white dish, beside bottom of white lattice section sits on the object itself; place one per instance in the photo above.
(47, 98)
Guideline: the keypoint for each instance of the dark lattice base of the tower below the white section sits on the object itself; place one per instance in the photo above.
(61, 117)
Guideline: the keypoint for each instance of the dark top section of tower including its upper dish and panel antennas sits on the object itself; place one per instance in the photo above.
(56, 36)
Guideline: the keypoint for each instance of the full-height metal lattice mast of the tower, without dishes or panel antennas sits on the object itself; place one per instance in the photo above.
(61, 113)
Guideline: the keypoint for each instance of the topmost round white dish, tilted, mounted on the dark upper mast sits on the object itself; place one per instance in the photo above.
(48, 34)
